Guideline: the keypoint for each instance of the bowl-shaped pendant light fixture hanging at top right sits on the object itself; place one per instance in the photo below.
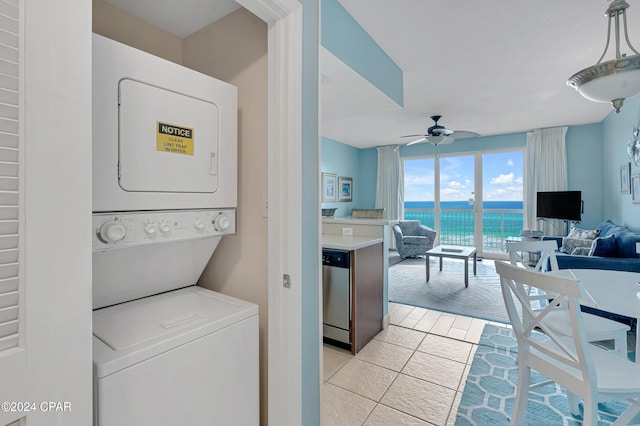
(617, 79)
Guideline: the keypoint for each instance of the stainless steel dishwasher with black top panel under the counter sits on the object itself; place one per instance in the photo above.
(336, 296)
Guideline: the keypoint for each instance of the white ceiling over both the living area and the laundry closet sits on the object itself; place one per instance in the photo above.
(491, 66)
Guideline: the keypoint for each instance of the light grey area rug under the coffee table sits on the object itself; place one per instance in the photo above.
(445, 290)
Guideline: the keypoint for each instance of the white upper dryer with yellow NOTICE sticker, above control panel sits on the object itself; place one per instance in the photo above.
(164, 136)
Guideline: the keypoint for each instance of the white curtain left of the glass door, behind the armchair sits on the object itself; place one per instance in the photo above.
(390, 183)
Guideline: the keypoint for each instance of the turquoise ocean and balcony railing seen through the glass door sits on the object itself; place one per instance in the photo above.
(456, 226)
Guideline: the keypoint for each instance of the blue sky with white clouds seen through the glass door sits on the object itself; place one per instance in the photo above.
(502, 178)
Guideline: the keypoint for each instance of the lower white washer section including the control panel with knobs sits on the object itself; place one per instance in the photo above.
(184, 356)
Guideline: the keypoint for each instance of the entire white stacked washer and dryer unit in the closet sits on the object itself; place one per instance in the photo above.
(165, 351)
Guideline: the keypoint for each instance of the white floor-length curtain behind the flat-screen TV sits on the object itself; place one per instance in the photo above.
(546, 170)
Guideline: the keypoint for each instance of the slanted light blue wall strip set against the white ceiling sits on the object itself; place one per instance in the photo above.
(350, 43)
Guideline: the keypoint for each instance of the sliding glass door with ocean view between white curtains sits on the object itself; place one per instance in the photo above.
(470, 200)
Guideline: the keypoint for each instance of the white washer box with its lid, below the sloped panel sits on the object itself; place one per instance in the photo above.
(186, 357)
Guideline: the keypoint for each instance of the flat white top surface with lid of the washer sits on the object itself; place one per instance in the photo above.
(144, 322)
